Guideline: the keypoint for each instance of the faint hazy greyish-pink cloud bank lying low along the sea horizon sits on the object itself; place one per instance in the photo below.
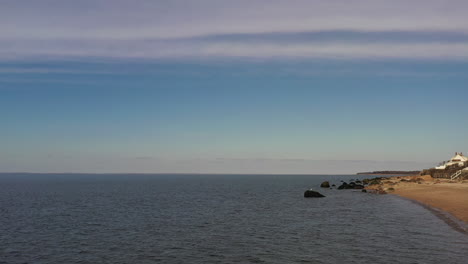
(220, 165)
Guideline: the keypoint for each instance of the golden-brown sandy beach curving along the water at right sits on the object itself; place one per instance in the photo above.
(442, 194)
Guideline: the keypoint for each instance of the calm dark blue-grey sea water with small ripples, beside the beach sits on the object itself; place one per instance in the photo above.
(213, 219)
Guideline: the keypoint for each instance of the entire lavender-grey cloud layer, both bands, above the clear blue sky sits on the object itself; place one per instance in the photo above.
(247, 29)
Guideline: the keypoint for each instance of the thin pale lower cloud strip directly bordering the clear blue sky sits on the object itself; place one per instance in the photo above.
(235, 49)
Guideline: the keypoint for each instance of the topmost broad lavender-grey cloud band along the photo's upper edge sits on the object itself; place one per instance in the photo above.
(120, 19)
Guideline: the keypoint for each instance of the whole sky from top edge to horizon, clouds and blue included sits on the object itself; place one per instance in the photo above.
(215, 86)
